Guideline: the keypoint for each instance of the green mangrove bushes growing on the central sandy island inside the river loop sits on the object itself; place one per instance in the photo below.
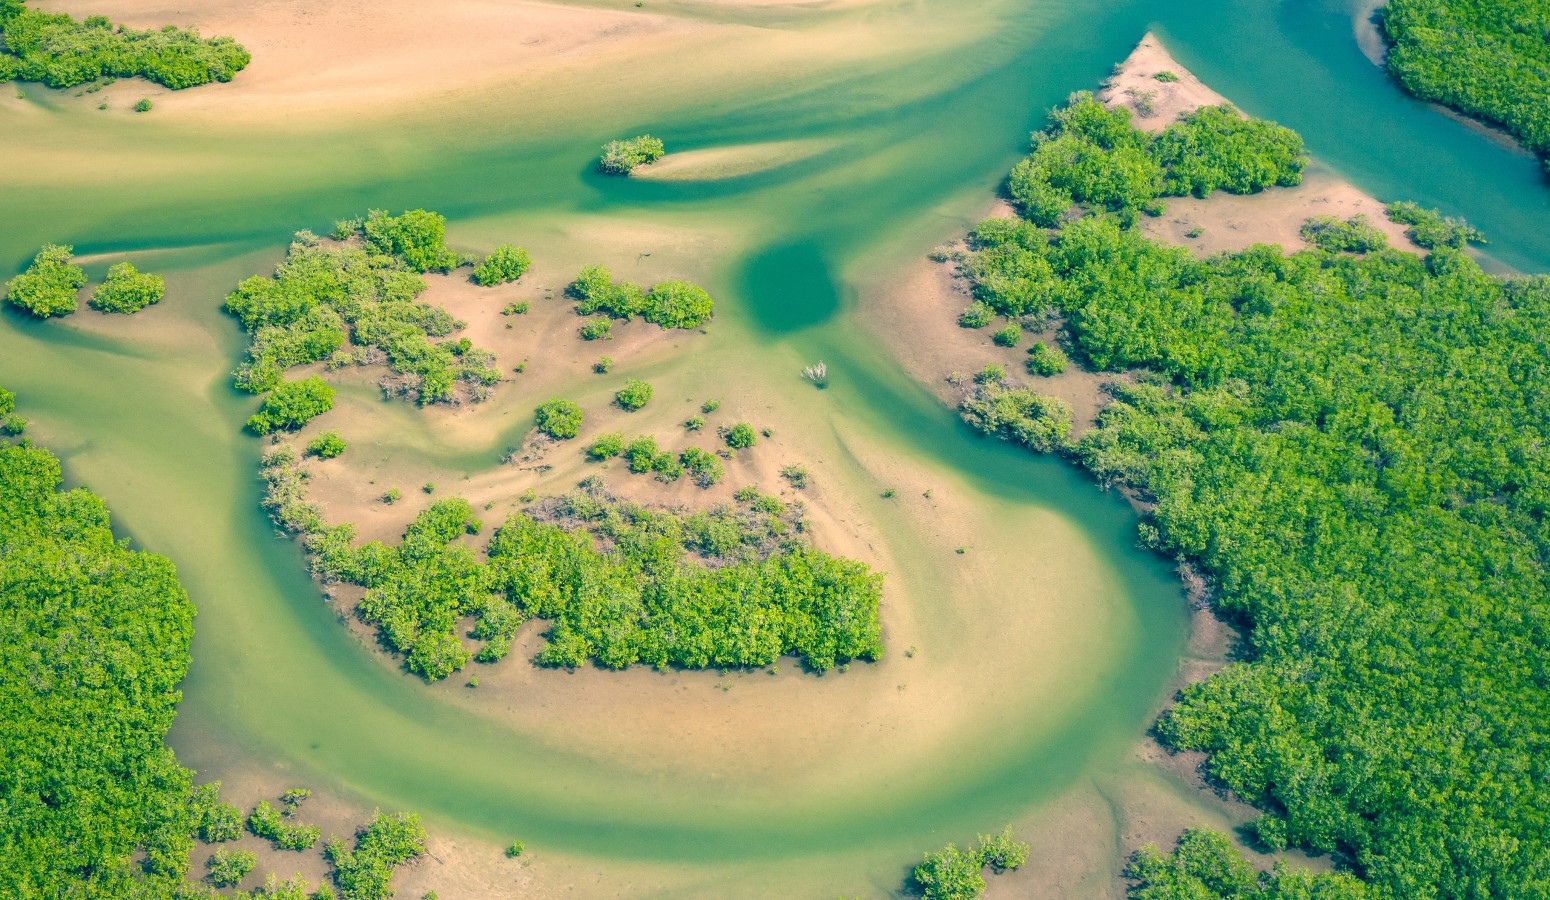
(619, 583)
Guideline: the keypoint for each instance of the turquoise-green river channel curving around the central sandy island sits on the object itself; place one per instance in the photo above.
(914, 149)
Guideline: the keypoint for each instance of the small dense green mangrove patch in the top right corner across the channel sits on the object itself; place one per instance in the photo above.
(1489, 60)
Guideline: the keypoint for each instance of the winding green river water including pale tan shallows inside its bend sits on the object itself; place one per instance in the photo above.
(142, 410)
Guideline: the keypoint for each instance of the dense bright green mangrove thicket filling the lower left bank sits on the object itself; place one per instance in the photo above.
(94, 642)
